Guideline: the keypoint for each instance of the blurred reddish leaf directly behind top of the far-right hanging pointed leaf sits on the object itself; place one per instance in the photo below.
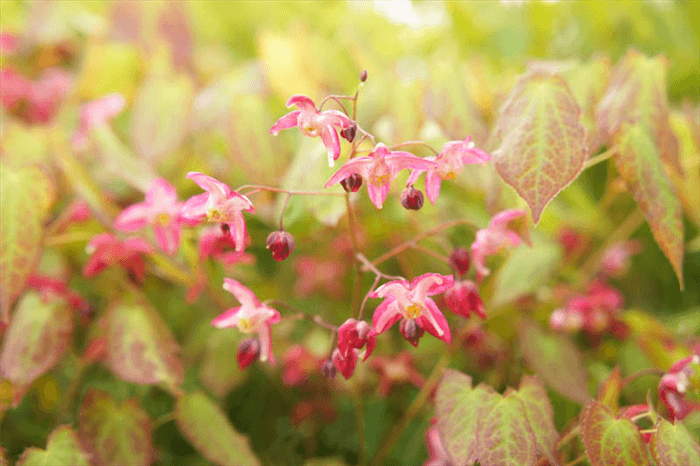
(636, 94)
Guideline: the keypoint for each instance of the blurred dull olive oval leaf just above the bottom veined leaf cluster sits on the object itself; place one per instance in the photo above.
(556, 360)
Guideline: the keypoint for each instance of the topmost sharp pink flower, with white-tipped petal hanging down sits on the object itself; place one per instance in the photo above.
(313, 123)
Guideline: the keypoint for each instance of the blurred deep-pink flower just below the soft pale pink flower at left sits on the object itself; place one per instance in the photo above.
(106, 250)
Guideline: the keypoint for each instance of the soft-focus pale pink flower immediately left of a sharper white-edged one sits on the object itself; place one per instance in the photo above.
(160, 211)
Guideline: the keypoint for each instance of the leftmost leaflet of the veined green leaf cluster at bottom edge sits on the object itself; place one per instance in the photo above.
(459, 408)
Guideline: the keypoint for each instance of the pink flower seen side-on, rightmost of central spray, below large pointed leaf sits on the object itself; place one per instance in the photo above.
(495, 239)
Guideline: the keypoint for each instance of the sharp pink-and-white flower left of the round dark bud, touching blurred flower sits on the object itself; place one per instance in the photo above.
(219, 204)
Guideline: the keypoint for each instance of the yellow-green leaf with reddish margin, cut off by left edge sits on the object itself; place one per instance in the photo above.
(25, 197)
